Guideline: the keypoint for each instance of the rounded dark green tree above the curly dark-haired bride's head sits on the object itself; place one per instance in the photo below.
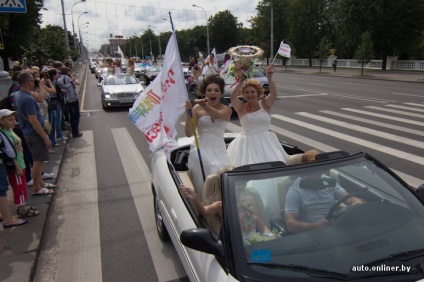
(223, 31)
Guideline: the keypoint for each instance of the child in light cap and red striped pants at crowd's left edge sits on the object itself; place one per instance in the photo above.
(17, 177)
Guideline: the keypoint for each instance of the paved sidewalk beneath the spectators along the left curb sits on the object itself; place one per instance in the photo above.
(20, 246)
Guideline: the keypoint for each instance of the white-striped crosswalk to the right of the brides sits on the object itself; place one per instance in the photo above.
(386, 125)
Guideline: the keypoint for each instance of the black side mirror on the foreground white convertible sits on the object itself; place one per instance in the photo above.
(201, 239)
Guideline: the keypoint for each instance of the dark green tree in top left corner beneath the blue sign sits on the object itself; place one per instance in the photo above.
(19, 30)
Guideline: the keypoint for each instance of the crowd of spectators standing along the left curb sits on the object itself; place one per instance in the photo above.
(40, 106)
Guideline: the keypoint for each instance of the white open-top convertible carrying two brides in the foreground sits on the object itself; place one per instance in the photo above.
(381, 239)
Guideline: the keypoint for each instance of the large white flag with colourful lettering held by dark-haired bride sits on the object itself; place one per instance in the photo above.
(160, 105)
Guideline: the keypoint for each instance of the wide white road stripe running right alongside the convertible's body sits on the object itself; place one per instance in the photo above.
(167, 264)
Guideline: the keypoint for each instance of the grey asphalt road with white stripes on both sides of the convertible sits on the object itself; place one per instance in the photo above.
(102, 225)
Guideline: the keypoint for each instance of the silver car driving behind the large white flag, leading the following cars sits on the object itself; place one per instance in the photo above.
(120, 90)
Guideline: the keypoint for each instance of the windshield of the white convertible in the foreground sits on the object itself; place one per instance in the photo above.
(379, 217)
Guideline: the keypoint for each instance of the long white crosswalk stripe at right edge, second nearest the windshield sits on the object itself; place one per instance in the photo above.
(355, 140)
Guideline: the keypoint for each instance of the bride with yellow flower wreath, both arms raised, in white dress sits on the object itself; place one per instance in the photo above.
(255, 144)
